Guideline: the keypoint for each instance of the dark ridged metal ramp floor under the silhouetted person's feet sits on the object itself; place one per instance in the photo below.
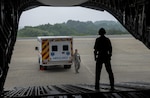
(122, 90)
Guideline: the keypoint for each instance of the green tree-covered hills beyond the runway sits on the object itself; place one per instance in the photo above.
(72, 28)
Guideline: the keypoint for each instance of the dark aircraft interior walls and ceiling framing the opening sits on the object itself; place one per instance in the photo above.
(132, 14)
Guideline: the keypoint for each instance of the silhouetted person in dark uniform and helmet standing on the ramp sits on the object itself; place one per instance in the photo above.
(102, 54)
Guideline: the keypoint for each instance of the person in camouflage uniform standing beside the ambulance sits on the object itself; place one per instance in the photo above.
(77, 61)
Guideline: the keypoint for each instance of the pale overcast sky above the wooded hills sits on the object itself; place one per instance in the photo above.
(52, 15)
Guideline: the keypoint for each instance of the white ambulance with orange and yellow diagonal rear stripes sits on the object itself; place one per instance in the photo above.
(55, 50)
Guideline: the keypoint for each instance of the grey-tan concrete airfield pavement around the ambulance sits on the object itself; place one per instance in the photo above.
(130, 63)
